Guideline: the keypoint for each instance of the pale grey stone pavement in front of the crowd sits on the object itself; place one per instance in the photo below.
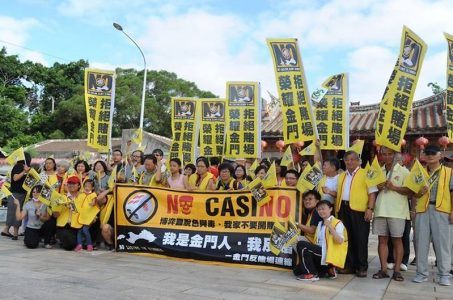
(58, 274)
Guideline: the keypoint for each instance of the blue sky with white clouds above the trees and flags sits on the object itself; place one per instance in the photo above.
(211, 42)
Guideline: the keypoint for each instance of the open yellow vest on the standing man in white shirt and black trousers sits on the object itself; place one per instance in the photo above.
(358, 193)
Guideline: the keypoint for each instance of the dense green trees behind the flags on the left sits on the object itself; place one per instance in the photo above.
(27, 90)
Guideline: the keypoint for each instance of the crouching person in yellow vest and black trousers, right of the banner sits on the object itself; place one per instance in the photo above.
(330, 248)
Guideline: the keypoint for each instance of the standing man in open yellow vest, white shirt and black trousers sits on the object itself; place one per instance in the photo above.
(354, 206)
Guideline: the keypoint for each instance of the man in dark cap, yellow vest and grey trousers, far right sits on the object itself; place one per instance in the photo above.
(434, 213)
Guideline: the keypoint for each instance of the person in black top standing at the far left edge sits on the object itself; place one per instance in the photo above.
(18, 175)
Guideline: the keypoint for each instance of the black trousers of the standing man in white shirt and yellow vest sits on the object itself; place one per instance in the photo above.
(358, 232)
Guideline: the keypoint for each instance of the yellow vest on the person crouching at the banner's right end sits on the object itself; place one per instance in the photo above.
(336, 253)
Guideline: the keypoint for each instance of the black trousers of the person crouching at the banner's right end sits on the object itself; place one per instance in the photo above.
(309, 258)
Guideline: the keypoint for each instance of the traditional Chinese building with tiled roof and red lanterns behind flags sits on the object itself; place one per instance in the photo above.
(427, 119)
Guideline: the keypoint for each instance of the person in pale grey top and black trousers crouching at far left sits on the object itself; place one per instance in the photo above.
(35, 214)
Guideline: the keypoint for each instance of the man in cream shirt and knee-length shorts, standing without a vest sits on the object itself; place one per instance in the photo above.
(390, 214)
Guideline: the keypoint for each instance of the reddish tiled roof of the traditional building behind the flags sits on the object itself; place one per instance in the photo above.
(426, 117)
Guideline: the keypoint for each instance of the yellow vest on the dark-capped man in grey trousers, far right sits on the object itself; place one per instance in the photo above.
(443, 198)
